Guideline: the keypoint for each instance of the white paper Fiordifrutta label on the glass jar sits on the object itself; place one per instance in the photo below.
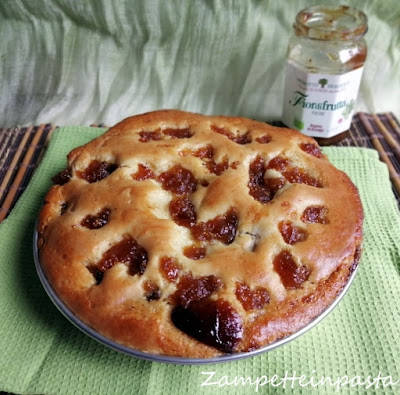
(319, 105)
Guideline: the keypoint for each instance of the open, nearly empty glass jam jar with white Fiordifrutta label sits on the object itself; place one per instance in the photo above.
(325, 60)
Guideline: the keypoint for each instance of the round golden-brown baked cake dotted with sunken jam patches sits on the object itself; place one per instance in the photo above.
(187, 235)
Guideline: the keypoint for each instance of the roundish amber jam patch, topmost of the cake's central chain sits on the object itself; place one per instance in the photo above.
(178, 180)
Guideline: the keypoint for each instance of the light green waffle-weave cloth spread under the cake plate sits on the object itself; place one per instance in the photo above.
(41, 352)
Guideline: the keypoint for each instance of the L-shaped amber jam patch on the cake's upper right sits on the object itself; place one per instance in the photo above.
(263, 190)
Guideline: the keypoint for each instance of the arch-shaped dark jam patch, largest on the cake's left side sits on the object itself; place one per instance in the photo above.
(127, 251)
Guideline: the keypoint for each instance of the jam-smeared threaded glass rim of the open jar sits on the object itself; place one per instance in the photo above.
(324, 22)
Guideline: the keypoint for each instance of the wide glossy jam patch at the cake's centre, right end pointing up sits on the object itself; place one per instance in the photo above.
(222, 228)
